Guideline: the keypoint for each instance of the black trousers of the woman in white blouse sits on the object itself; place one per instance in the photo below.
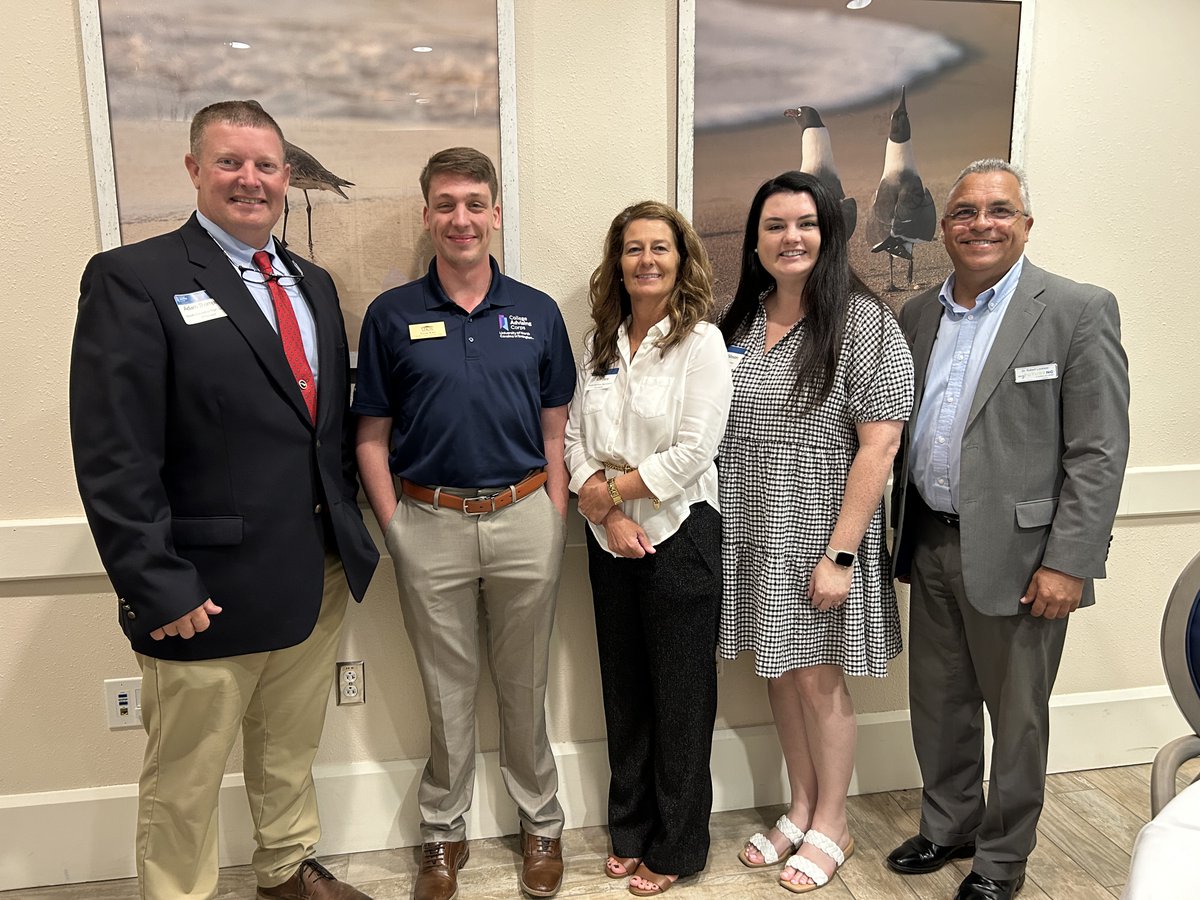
(657, 621)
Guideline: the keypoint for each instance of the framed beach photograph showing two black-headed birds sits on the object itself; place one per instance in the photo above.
(884, 100)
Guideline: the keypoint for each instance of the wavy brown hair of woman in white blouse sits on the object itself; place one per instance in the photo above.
(691, 302)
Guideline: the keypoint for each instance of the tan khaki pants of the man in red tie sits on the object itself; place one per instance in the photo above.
(193, 713)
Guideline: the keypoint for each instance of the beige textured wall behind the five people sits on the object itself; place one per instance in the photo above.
(1111, 154)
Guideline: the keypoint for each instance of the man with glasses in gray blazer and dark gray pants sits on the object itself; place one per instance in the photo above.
(1004, 501)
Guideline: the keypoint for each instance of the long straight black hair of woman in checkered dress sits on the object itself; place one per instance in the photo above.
(826, 296)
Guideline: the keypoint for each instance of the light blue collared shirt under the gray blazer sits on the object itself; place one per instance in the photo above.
(961, 350)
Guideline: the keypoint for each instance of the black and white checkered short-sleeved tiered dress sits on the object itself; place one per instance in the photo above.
(783, 477)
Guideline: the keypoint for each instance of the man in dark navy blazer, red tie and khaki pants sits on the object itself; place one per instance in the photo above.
(224, 503)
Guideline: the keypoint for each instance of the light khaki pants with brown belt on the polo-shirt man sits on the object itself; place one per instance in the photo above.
(446, 562)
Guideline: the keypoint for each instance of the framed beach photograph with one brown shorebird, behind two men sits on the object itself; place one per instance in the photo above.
(365, 92)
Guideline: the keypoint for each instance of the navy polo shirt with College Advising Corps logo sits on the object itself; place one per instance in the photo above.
(465, 391)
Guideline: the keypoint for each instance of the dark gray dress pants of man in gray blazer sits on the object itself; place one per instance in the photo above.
(959, 661)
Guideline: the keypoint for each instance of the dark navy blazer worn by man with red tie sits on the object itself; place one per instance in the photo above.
(201, 471)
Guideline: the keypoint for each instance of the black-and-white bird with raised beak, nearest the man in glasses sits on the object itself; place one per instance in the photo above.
(903, 212)
